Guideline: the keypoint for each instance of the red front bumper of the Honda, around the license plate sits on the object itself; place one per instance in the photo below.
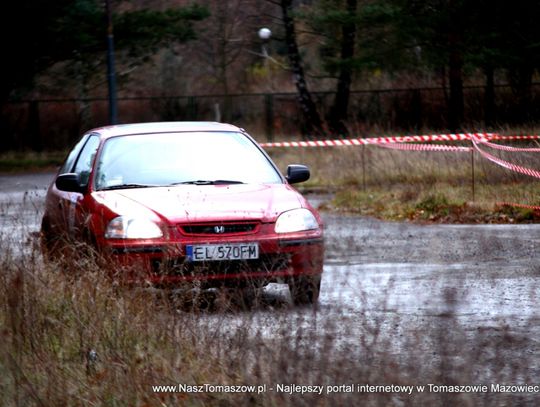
(165, 263)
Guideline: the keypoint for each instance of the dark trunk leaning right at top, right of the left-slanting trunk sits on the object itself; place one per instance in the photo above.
(338, 112)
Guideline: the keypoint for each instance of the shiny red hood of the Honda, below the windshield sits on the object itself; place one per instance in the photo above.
(200, 203)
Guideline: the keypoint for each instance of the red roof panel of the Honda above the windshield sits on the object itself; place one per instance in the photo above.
(161, 127)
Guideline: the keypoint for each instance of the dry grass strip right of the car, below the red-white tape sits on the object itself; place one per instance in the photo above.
(396, 185)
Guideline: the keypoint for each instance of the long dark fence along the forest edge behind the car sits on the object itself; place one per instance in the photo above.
(56, 124)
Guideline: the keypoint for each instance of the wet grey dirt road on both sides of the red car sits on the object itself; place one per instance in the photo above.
(456, 297)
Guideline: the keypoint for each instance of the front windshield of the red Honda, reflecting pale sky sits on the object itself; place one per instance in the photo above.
(201, 158)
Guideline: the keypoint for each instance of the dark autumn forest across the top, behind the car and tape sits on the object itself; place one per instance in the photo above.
(332, 68)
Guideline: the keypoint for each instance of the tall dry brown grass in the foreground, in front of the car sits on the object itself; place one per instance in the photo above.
(70, 338)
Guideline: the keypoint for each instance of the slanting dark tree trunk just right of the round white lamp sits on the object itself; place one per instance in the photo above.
(313, 123)
